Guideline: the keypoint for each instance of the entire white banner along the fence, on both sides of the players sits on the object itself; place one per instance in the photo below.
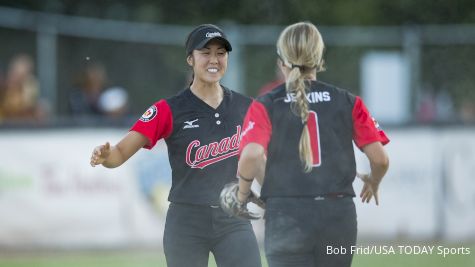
(51, 196)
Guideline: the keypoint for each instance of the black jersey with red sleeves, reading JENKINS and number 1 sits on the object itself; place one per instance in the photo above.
(336, 119)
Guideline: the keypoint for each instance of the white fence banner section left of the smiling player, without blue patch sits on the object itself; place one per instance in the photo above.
(51, 196)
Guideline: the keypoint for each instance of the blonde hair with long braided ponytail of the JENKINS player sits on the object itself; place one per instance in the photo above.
(300, 47)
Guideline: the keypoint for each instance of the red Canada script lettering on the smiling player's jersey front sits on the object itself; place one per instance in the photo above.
(198, 156)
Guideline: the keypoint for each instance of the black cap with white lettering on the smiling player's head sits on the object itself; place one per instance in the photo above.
(201, 35)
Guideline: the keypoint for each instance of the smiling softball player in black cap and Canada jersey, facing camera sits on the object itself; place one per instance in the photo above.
(201, 126)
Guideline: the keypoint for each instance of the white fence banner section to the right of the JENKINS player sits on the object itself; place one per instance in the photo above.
(429, 190)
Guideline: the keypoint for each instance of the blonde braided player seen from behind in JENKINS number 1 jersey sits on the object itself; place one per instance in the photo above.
(303, 133)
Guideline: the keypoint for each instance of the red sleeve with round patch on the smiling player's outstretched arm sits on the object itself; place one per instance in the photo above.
(156, 123)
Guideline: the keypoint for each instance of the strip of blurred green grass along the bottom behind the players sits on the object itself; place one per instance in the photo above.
(147, 258)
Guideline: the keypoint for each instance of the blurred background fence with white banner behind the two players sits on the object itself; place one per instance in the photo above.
(416, 79)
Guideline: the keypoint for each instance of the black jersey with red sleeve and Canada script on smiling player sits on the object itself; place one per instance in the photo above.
(202, 142)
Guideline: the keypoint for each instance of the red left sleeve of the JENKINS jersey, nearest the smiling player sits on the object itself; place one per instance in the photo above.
(257, 126)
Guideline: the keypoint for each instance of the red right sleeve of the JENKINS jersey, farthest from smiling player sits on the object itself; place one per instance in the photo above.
(365, 128)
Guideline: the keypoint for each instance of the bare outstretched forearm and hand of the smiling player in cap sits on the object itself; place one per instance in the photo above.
(114, 156)
